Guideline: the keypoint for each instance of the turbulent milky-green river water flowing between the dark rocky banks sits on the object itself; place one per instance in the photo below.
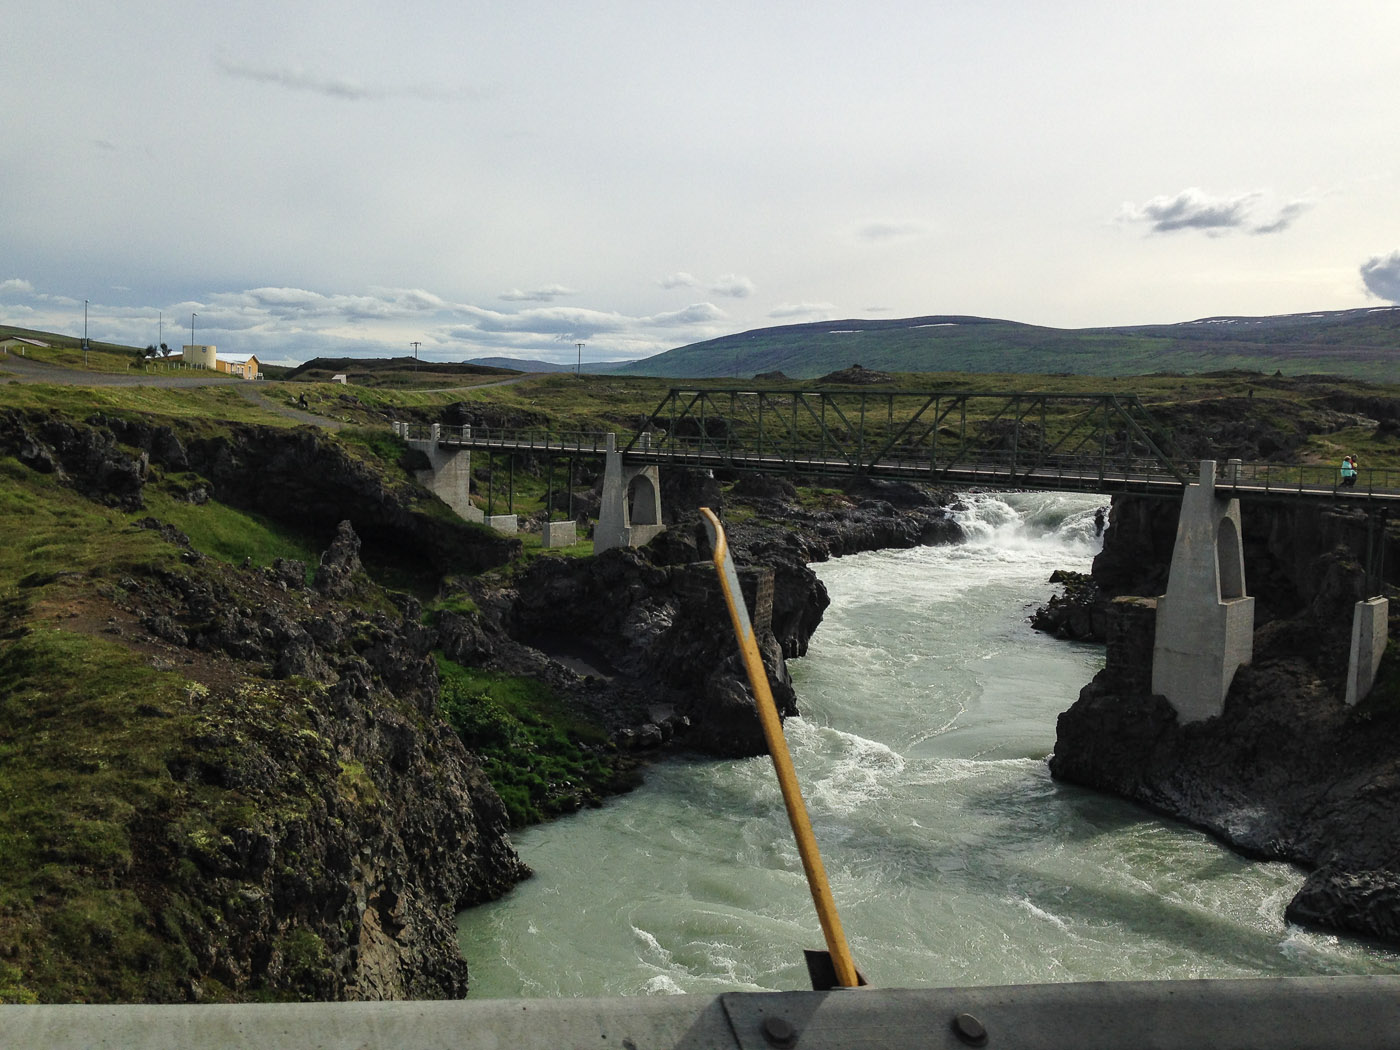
(929, 710)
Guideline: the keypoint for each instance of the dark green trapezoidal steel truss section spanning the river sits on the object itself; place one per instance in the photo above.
(1091, 440)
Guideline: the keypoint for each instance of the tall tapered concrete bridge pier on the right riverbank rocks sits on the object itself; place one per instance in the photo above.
(1205, 622)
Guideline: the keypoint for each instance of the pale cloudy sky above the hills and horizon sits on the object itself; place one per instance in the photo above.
(510, 180)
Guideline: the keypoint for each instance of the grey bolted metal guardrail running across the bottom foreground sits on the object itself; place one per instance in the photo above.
(1280, 1014)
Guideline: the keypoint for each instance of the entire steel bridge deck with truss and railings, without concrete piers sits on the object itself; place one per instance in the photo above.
(1100, 443)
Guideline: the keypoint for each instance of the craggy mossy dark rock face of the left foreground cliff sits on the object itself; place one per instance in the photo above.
(365, 824)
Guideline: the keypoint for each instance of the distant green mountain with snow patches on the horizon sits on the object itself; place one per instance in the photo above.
(1361, 344)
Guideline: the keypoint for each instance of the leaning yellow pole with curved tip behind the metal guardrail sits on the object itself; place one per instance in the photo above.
(782, 759)
